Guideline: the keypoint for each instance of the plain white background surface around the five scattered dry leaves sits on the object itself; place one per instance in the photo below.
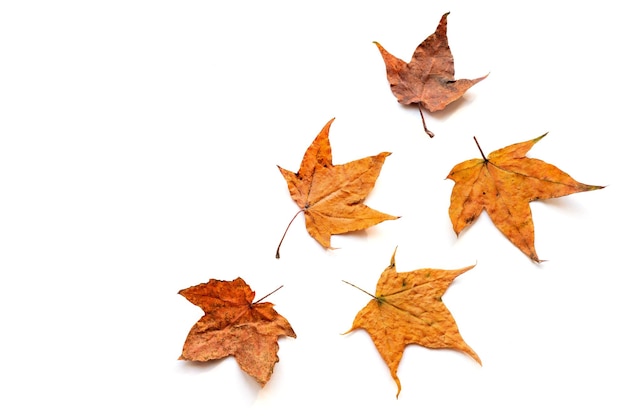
(138, 150)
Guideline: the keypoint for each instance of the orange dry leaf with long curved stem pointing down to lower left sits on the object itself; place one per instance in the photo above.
(331, 196)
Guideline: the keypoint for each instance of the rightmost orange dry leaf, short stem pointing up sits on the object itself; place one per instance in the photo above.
(503, 184)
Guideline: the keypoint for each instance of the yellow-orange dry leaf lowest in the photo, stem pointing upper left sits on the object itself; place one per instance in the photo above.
(407, 309)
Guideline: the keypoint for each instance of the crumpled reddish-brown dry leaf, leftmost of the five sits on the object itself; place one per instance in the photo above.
(234, 326)
